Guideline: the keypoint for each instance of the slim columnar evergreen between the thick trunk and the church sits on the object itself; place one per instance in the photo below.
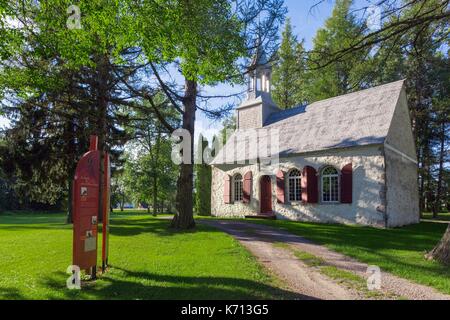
(202, 181)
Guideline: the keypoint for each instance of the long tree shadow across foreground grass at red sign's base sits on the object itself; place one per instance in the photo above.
(133, 285)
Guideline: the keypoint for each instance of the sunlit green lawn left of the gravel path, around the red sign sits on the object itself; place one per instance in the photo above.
(148, 262)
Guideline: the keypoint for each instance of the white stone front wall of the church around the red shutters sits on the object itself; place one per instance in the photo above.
(368, 188)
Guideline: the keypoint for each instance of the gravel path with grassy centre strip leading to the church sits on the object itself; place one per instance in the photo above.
(260, 239)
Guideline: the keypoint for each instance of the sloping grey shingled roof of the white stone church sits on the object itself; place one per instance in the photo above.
(354, 119)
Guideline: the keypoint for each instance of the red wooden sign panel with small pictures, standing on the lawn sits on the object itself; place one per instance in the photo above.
(86, 208)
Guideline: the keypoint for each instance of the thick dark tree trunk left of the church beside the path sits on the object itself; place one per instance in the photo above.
(184, 218)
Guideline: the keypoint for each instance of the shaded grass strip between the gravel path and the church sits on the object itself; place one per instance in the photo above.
(399, 251)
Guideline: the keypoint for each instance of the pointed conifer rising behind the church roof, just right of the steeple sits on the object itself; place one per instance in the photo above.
(289, 71)
